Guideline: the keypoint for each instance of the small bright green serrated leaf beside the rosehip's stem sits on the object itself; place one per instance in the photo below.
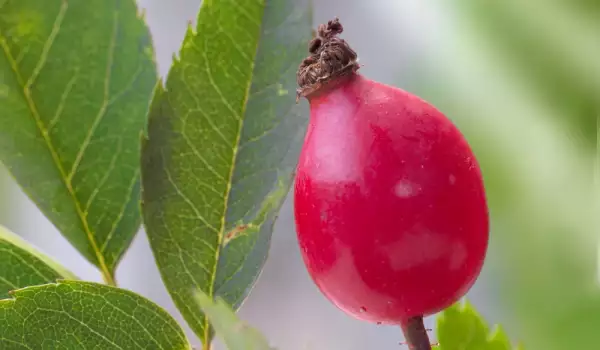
(460, 327)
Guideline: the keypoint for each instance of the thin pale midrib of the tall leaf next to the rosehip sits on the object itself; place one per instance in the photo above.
(238, 136)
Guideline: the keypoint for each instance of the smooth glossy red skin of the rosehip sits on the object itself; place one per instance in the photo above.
(390, 208)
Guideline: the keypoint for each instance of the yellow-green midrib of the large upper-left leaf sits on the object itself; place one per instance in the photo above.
(106, 272)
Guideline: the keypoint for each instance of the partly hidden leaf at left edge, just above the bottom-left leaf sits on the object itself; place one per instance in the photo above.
(21, 265)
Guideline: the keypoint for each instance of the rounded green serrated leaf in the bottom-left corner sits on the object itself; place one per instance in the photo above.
(85, 315)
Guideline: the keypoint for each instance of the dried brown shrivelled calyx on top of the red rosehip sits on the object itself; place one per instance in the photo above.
(330, 57)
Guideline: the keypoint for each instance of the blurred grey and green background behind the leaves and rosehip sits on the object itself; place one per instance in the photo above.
(521, 79)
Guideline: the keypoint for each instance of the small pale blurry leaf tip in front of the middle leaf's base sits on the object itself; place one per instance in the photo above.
(236, 334)
